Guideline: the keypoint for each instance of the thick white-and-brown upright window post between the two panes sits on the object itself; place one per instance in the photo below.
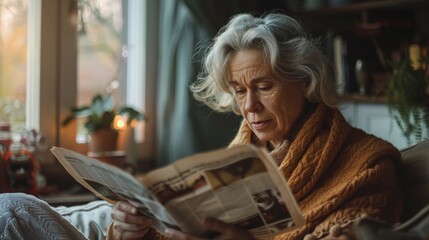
(51, 83)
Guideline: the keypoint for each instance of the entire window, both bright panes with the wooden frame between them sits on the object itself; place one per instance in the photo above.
(56, 70)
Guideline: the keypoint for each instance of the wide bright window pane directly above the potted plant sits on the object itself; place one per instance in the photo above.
(111, 40)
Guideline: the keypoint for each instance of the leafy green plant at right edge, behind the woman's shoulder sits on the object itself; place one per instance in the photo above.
(407, 95)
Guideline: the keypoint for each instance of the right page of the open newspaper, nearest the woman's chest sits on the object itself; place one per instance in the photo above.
(240, 185)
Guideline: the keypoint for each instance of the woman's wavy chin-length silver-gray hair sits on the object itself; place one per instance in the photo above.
(293, 56)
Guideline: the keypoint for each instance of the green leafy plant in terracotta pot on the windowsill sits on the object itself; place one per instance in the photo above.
(100, 116)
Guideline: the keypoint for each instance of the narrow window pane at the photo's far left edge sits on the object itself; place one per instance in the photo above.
(13, 62)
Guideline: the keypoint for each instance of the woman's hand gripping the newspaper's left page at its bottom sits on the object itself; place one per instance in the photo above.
(128, 223)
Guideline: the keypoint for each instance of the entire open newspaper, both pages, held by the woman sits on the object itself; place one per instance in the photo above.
(240, 185)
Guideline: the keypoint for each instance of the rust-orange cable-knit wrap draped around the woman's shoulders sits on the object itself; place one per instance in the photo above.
(337, 173)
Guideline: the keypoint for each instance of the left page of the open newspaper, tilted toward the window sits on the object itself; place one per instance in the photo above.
(113, 184)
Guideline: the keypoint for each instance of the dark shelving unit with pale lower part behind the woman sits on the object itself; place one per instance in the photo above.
(373, 31)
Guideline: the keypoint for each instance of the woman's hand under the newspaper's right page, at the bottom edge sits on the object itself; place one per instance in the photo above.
(227, 231)
